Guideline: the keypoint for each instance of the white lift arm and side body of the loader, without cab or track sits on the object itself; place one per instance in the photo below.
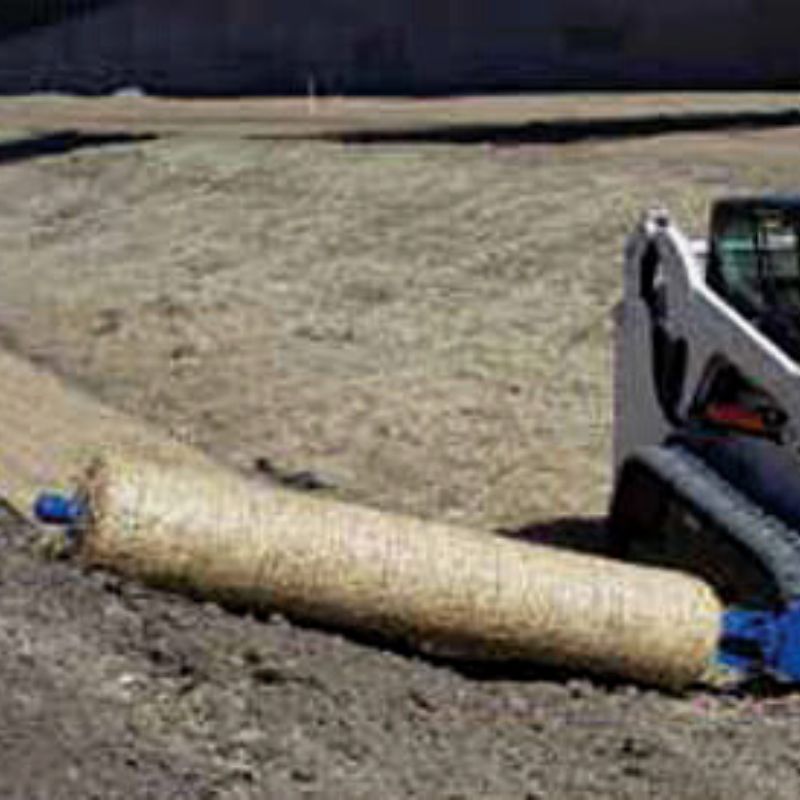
(667, 299)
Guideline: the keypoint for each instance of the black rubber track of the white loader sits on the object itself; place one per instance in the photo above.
(670, 509)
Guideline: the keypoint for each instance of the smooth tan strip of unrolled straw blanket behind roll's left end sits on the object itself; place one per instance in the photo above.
(50, 431)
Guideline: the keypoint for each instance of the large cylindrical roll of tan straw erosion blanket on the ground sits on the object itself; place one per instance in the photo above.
(470, 593)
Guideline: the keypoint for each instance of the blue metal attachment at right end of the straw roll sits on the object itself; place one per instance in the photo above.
(756, 643)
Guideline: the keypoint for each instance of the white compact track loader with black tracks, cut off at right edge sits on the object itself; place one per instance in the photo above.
(707, 401)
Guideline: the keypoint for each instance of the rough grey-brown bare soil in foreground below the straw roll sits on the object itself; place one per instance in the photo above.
(114, 691)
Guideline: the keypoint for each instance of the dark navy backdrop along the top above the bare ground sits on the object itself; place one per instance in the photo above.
(344, 47)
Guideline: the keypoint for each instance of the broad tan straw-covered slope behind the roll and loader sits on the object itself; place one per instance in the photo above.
(429, 326)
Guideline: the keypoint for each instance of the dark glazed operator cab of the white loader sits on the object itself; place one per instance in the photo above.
(754, 264)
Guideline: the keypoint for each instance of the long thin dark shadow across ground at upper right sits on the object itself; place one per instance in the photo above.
(566, 131)
